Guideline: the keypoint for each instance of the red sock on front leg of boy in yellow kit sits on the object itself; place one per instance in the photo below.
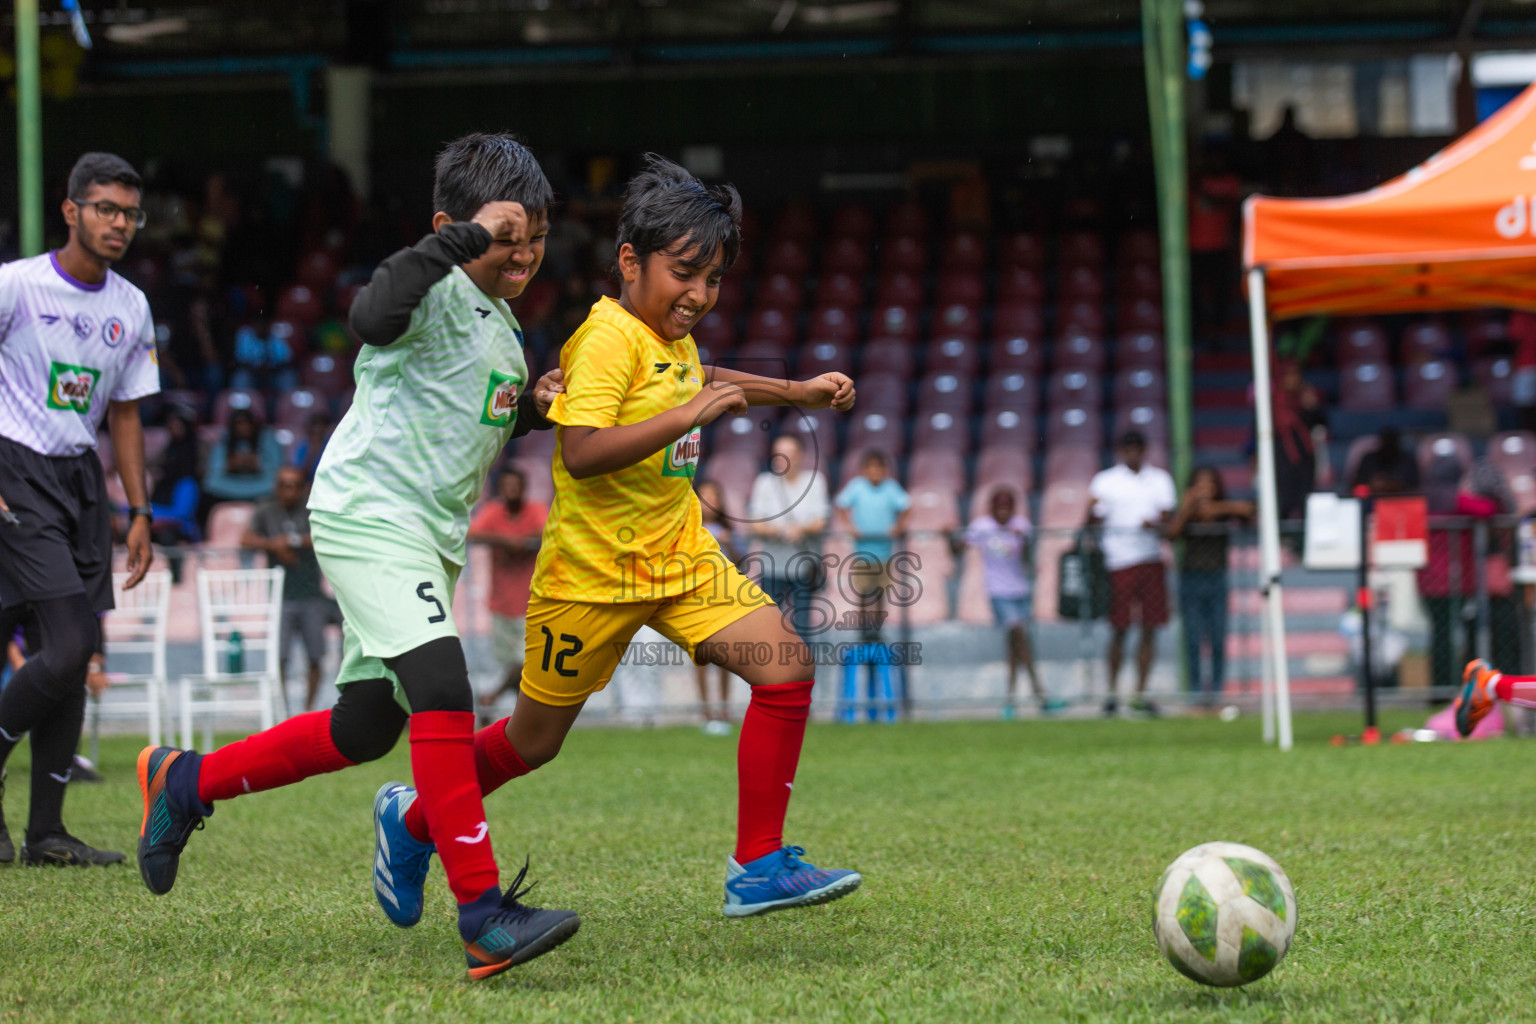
(766, 761)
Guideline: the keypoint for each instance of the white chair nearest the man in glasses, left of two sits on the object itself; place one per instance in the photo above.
(134, 636)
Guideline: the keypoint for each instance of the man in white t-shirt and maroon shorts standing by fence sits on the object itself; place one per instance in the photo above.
(1133, 501)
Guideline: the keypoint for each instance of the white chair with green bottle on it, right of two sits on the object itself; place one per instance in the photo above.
(247, 603)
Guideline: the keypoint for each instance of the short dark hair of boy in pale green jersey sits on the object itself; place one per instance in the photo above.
(483, 168)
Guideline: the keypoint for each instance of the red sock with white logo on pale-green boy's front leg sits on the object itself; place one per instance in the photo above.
(443, 765)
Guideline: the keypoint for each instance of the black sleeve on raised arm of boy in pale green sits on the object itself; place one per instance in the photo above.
(382, 311)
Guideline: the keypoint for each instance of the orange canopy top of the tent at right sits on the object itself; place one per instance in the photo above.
(1455, 233)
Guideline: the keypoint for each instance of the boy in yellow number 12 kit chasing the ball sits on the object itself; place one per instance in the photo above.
(626, 547)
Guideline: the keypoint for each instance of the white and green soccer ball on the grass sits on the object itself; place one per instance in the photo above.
(1223, 914)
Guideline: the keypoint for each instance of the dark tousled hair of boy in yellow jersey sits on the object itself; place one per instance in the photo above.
(669, 211)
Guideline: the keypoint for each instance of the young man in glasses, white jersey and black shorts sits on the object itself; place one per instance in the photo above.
(78, 346)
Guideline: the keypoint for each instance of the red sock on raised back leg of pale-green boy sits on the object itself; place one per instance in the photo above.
(280, 756)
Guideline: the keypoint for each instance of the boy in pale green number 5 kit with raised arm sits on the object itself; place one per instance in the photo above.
(442, 388)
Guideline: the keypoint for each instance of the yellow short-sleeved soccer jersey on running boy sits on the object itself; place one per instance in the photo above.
(624, 537)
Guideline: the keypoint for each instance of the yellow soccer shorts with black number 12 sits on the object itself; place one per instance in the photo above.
(575, 647)
